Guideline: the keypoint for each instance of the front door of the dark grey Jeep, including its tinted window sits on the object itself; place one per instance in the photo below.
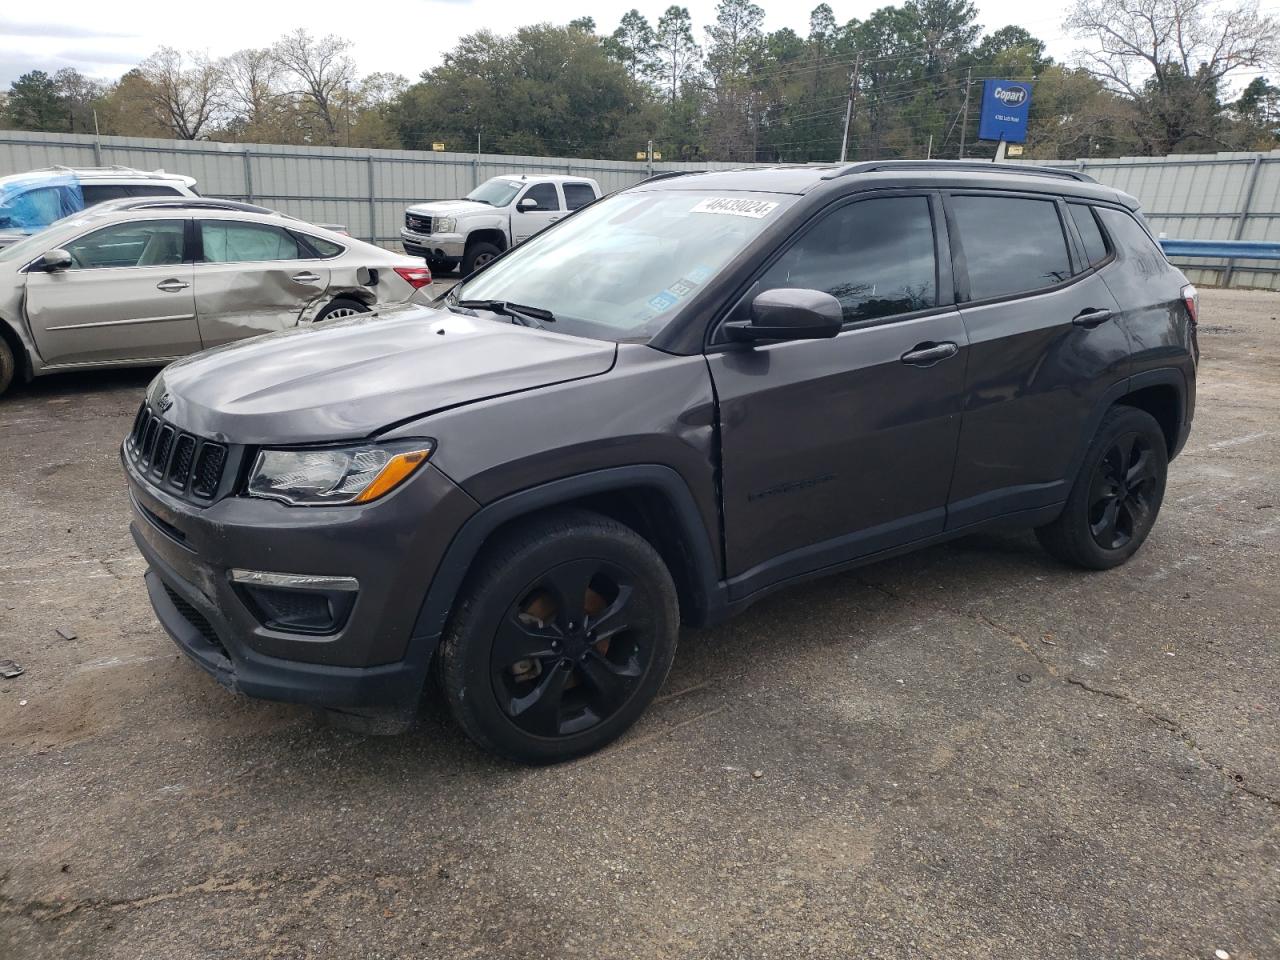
(839, 449)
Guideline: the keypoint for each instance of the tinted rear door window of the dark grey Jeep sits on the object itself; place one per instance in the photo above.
(1011, 245)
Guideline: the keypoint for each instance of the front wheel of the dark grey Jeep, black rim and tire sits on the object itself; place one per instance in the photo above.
(538, 679)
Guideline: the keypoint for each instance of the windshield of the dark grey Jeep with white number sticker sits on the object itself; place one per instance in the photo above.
(621, 268)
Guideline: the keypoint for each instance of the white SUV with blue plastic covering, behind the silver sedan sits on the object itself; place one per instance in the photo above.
(31, 202)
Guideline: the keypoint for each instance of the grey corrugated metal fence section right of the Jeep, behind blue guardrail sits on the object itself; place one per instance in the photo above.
(1217, 196)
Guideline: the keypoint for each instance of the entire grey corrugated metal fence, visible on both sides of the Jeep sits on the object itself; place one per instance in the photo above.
(1222, 196)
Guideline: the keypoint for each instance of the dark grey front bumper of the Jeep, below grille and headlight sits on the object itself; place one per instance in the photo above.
(374, 661)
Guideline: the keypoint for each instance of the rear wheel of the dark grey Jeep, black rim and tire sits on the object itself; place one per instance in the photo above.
(1117, 496)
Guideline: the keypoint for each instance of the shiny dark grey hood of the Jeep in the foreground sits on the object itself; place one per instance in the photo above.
(353, 378)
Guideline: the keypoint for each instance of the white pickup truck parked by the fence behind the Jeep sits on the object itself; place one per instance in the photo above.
(496, 216)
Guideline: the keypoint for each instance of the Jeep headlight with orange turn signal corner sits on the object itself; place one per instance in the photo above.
(336, 476)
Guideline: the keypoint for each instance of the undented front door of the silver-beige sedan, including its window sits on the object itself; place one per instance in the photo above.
(127, 296)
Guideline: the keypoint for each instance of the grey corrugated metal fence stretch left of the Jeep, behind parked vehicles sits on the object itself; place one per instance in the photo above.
(367, 190)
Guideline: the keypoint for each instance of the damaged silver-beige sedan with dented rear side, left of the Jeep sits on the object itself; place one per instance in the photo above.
(143, 282)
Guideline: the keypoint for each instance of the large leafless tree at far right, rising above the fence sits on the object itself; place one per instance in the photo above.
(1171, 58)
